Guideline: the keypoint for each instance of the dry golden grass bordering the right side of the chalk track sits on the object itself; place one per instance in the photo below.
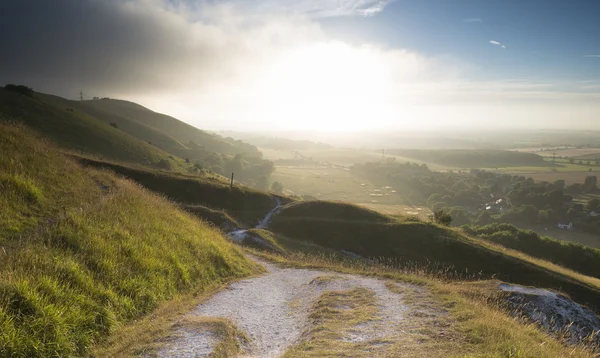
(476, 324)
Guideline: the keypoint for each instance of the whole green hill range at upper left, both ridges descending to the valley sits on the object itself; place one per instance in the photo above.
(125, 131)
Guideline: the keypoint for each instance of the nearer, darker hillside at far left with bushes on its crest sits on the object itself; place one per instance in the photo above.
(74, 129)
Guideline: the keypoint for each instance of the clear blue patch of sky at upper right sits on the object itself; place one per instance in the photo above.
(544, 39)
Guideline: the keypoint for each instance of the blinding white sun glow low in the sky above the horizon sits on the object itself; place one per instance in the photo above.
(329, 86)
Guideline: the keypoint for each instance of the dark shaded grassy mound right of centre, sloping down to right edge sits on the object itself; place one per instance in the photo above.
(411, 241)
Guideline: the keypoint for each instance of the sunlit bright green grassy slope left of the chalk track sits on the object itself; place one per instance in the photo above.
(84, 251)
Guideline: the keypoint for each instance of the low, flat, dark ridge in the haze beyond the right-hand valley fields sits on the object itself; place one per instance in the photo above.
(478, 158)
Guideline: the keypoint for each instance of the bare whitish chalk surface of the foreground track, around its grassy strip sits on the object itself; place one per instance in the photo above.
(273, 311)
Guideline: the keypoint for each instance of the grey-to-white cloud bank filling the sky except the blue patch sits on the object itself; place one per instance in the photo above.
(232, 65)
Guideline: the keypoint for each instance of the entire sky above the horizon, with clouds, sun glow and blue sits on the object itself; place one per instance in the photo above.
(317, 65)
